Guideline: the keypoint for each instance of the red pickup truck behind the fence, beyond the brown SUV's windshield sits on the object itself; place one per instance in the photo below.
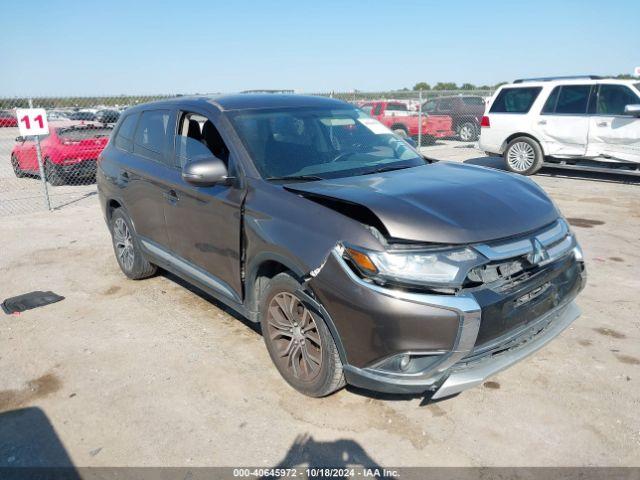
(397, 117)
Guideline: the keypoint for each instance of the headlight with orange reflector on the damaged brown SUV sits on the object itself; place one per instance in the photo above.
(424, 267)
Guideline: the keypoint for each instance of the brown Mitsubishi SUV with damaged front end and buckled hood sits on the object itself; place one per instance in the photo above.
(364, 262)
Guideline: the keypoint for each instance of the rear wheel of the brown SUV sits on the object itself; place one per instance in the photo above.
(127, 247)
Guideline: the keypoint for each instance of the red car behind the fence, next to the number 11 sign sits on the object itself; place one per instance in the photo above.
(69, 151)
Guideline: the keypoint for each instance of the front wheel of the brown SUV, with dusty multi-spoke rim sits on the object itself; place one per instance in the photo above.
(298, 340)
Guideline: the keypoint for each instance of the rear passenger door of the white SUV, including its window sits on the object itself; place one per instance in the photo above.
(563, 123)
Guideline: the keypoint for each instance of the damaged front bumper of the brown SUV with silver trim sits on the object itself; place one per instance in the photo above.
(392, 322)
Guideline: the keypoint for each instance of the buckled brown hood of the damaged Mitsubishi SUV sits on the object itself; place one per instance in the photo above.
(444, 202)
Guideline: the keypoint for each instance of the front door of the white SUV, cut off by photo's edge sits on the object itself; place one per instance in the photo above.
(612, 133)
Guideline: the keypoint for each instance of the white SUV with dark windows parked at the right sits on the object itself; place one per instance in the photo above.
(568, 118)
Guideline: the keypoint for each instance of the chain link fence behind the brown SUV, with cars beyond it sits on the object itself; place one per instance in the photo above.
(80, 127)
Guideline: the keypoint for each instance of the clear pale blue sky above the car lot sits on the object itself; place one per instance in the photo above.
(137, 47)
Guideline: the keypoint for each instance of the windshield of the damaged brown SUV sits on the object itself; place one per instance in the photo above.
(320, 143)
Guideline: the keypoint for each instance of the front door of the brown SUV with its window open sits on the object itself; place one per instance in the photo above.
(203, 223)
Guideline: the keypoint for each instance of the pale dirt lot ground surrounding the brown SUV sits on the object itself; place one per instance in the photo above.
(125, 373)
